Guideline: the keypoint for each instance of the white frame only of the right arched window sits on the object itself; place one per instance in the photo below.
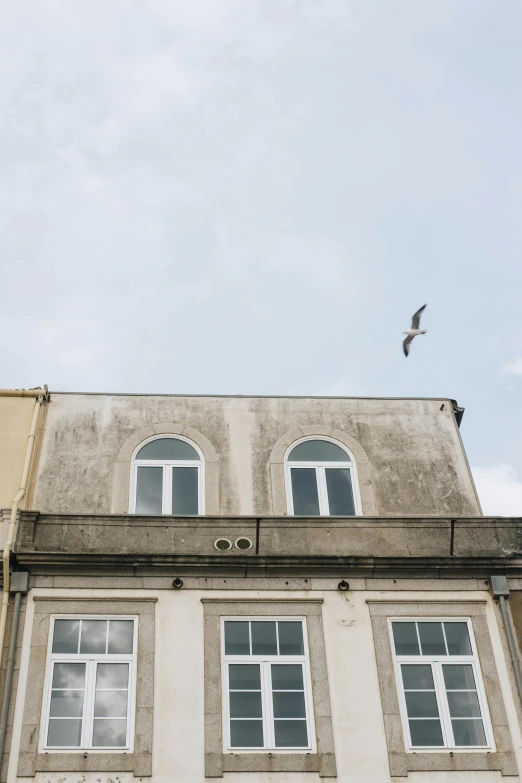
(321, 467)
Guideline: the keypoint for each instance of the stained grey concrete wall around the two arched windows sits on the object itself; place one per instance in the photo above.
(416, 462)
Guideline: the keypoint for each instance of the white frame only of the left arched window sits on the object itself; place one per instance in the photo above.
(167, 465)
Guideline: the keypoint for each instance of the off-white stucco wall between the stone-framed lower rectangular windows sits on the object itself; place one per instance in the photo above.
(178, 749)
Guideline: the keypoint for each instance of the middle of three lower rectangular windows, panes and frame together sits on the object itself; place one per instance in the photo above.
(268, 704)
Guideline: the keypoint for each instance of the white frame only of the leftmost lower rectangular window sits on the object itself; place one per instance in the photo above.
(91, 661)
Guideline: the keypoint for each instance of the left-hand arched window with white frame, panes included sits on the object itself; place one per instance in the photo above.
(167, 477)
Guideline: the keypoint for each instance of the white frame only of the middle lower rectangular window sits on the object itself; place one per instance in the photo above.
(265, 662)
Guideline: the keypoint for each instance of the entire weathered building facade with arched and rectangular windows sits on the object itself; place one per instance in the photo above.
(260, 589)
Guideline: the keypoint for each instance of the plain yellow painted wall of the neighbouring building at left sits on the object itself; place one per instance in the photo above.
(15, 422)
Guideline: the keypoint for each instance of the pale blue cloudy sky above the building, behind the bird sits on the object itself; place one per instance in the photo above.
(253, 197)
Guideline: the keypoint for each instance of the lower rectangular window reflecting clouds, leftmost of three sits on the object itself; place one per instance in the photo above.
(90, 685)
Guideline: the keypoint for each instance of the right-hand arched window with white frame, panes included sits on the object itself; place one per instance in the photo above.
(320, 478)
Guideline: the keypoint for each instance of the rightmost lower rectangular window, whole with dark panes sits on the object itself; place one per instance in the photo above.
(442, 698)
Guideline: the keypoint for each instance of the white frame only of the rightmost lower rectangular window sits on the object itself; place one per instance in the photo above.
(436, 662)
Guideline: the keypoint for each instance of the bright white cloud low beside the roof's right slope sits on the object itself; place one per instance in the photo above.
(499, 489)
